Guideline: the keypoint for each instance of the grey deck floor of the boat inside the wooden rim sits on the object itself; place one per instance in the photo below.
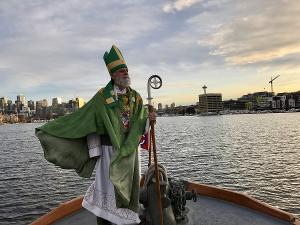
(206, 211)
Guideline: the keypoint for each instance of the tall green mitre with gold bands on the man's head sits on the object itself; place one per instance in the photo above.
(114, 60)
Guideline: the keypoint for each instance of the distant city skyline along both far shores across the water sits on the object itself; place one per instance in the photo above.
(209, 104)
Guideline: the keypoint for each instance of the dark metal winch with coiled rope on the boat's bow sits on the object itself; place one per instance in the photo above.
(173, 199)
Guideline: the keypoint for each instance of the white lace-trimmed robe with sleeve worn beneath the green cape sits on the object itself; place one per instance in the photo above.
(100, 196)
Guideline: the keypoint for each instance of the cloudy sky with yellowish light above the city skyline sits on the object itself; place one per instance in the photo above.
(54, 48)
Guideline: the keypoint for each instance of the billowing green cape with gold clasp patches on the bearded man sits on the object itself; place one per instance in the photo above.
(65, 144)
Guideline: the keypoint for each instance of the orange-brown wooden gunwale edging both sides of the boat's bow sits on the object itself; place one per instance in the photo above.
(241, 199)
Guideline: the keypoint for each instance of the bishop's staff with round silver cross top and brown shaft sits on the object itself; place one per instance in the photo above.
(155, 82)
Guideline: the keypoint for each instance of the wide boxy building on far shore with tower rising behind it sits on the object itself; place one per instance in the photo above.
(210, 102)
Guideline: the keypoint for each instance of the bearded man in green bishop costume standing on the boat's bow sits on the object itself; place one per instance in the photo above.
(103, 134)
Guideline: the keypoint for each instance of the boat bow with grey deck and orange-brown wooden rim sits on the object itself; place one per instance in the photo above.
(215, 206)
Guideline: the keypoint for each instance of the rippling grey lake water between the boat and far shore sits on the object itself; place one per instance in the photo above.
(256, 154)
